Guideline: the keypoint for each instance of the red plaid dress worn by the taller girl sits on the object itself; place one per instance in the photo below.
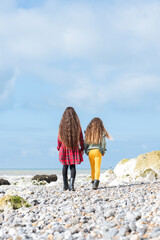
(69, 156)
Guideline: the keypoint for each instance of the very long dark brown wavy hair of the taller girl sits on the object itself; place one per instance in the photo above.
(69, 128)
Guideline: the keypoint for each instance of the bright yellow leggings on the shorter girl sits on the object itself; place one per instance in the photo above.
(95, 158)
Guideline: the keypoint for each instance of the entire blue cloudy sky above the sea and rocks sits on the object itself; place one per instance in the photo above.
(100, 57)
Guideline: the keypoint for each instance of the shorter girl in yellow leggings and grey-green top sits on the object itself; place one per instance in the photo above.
(95, 147)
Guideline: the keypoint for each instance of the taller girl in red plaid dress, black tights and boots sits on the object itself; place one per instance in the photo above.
(70, 145)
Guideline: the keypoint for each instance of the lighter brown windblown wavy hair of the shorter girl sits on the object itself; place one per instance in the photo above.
(95, 131)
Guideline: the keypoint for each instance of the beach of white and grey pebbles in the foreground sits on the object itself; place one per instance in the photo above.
(129, 211)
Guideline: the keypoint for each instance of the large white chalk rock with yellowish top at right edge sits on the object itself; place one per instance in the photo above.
(144, 168)
